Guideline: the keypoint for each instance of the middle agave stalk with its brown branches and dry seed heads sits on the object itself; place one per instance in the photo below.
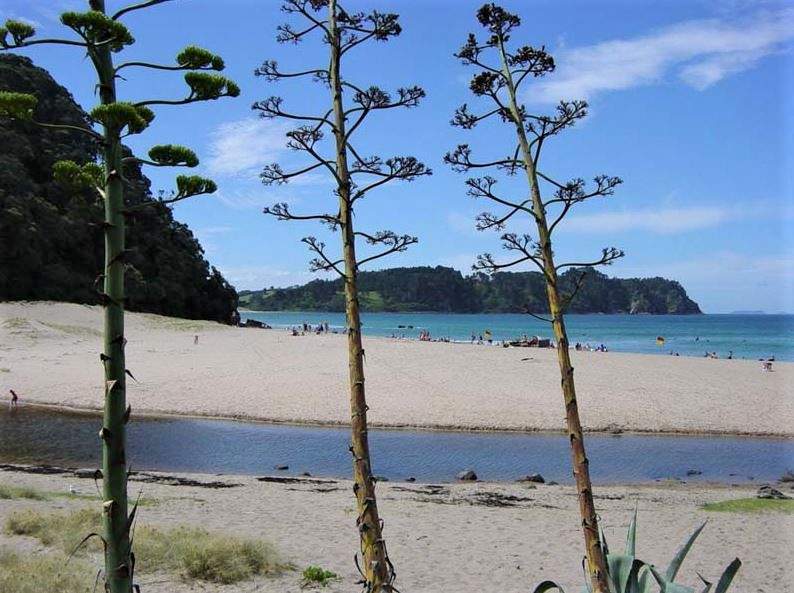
(354, 177)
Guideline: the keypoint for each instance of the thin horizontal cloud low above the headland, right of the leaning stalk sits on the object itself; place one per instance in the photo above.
(661, 221)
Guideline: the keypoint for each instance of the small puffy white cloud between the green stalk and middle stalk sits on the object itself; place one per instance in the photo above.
(243, 147)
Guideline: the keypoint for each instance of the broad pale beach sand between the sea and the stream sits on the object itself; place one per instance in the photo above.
(49, 353)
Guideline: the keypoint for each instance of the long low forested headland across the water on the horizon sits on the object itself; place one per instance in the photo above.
(447, 290)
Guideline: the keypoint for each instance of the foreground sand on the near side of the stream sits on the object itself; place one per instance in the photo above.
(448, 542)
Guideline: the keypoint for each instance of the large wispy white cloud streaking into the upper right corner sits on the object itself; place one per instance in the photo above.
(700, 53)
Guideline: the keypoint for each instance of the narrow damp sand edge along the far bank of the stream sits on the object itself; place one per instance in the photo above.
(166, 415)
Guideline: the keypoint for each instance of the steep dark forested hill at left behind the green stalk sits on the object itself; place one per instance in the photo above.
(51, 241)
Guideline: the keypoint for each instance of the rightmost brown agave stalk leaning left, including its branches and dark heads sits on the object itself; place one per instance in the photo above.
(500, 82)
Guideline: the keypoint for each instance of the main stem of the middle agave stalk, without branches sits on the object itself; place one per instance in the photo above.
(376, 567)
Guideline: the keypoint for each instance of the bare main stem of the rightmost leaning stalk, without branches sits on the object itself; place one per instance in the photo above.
(596, 560)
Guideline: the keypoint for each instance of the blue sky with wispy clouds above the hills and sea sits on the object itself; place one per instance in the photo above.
(691, 104)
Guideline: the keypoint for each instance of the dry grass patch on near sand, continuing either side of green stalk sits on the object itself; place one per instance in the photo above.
(192, 552)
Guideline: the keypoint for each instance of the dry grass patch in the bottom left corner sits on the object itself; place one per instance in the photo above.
(41, 573)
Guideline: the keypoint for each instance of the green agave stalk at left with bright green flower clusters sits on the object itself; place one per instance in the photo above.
(101, 35)
